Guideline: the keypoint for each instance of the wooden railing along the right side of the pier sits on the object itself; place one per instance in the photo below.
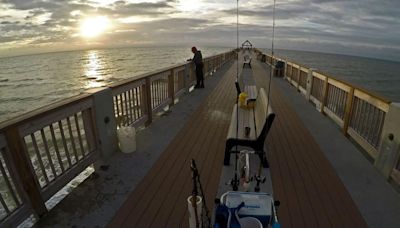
(359, 113)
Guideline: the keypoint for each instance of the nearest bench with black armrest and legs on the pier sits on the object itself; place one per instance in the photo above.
(259, 122)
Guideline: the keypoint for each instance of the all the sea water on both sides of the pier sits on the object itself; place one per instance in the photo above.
(30, 82)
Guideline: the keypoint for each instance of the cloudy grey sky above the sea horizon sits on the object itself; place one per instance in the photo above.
(356, 27)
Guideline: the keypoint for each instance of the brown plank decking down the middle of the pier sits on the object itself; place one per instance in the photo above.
(311, 193)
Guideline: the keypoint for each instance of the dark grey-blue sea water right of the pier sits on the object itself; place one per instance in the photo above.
(379, 76)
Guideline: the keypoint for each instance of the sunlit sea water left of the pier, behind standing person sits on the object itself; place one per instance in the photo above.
(30, 82)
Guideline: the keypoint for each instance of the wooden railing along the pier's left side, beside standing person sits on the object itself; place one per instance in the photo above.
(42, 151)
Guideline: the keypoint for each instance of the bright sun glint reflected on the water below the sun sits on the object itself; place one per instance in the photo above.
(92, 68)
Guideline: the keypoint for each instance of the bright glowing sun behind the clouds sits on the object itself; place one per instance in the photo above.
(94, 26)
